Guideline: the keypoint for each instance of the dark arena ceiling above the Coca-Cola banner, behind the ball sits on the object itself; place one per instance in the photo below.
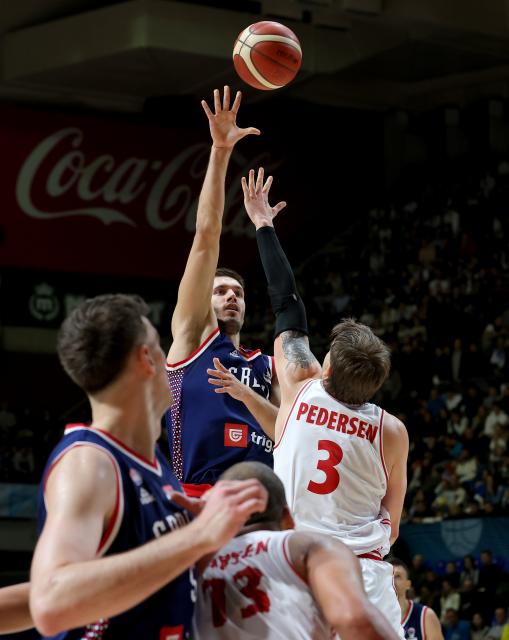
(364, 53)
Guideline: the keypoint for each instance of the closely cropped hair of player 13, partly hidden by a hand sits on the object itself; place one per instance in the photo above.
(274, 486)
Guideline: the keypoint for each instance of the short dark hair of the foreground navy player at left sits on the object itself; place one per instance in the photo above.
(96, 339)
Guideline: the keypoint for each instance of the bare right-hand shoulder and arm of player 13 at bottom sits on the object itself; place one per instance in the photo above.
(334, 576)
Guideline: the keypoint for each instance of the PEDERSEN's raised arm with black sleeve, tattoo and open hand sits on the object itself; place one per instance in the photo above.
(295, 362)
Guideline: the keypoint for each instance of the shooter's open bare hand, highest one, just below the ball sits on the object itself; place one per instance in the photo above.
(223, 127)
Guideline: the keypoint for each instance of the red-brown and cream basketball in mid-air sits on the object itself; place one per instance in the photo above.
(267, 55)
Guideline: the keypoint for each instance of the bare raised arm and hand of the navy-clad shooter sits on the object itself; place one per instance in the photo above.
(193, 318)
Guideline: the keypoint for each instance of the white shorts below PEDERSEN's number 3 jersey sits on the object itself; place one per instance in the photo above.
(379, 585)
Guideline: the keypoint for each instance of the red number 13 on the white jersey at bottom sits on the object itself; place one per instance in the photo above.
(247, 581)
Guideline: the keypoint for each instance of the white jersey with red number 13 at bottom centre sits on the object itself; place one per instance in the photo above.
(250, 590)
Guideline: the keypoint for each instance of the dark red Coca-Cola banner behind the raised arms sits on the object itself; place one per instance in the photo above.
(103, 195)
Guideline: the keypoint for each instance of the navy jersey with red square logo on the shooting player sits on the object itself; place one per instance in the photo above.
(207, 431)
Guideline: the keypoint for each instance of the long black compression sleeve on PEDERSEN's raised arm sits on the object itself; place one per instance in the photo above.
(286, 302)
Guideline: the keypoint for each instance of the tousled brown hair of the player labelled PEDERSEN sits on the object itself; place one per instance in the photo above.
(360, 362)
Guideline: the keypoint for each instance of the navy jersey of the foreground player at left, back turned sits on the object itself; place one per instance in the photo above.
(142, 512)
